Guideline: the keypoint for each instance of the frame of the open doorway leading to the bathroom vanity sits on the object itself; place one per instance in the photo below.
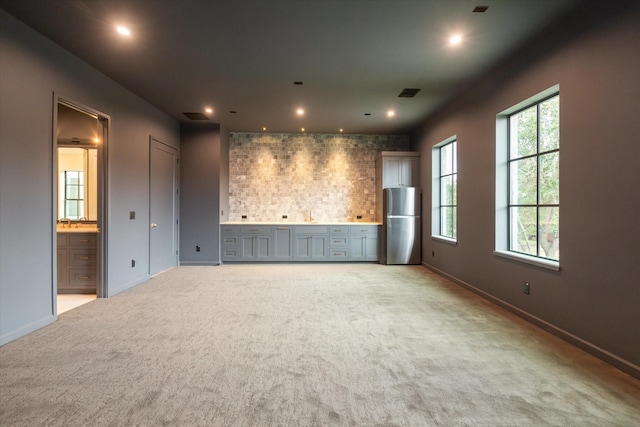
(104, 128)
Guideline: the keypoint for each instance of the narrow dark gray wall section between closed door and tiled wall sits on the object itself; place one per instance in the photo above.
(201, 179)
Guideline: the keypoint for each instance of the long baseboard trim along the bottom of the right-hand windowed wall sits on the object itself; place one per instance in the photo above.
(612, 359)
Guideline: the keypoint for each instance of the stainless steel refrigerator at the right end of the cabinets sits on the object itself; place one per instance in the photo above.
(400, 242)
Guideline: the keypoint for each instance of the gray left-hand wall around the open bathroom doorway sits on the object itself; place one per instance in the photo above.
(32, 68)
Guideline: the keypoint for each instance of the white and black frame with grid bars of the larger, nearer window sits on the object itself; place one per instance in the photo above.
(503, 182)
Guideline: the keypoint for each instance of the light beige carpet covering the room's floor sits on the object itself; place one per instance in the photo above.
(304, 345)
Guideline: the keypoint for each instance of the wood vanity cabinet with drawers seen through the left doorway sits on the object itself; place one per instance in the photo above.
(77, 267)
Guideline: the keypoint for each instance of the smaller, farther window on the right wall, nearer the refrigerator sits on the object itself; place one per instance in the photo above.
(445, 189)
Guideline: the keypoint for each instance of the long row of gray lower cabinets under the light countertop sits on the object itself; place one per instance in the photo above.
(299, 243)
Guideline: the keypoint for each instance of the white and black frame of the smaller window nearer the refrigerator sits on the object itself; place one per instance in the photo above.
(436, 190)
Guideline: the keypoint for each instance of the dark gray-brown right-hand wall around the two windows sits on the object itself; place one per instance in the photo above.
(594, 300)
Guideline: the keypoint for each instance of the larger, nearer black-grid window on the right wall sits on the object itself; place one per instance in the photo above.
(528, 180)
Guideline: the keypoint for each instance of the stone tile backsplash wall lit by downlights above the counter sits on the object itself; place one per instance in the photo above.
(271, 175)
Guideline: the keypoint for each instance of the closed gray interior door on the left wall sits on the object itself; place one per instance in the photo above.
(163, 227)
